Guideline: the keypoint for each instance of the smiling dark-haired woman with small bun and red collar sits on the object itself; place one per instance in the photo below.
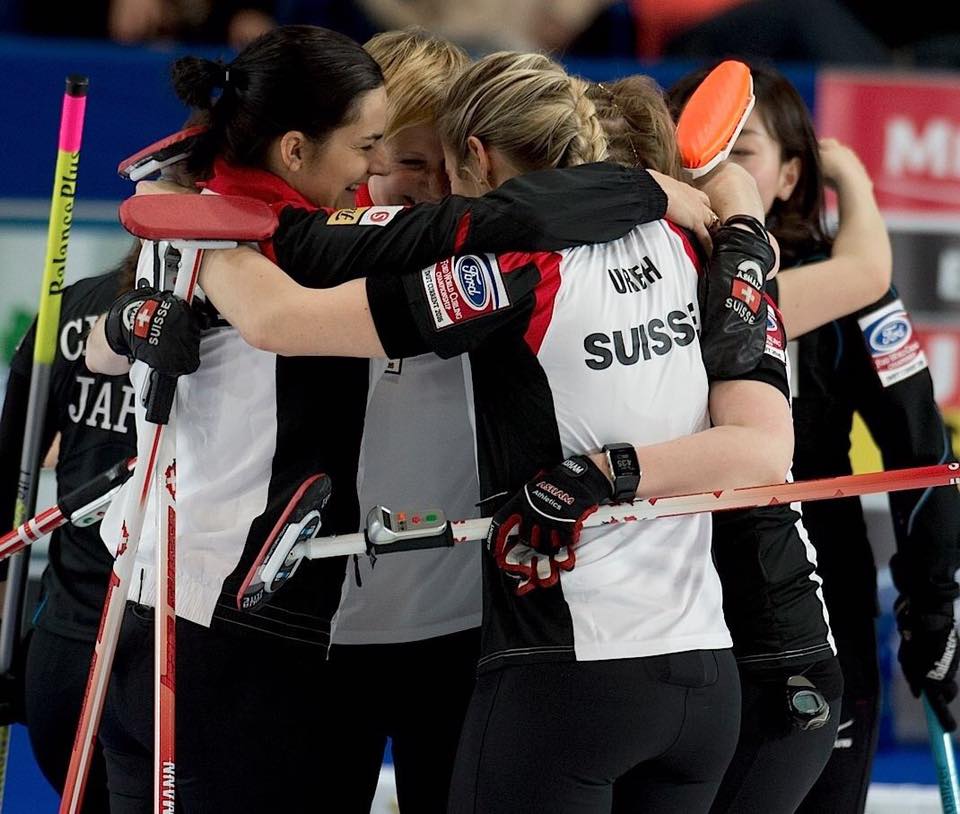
(295, 119)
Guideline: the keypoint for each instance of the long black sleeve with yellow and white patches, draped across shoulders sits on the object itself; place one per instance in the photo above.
(540, 211)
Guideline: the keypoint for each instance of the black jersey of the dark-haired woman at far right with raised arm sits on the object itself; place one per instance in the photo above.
(871, 362)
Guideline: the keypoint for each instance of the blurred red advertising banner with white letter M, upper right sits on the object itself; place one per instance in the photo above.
(905, 128)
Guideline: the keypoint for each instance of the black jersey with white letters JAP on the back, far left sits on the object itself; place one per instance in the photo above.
(94, 415)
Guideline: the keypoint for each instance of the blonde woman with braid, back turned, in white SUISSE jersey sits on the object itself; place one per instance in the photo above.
(606, 679)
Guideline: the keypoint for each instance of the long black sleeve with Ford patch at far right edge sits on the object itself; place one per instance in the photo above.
(893, 392)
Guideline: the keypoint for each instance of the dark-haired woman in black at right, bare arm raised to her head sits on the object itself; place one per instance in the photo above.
(864, 358)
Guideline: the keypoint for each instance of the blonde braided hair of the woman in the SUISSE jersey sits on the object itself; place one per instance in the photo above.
(527, 107)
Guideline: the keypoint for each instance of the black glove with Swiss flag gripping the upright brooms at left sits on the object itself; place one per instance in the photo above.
(155, 327)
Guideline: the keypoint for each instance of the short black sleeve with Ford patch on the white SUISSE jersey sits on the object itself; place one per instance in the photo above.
(453, 306)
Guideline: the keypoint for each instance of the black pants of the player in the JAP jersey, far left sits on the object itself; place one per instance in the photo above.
(55, 679)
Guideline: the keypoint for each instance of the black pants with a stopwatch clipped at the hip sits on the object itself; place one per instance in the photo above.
(776, 762)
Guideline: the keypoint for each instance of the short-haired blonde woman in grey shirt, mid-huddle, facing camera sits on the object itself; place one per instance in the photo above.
(418, 614)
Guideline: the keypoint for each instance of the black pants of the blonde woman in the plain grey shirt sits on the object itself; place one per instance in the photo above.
(416, 693)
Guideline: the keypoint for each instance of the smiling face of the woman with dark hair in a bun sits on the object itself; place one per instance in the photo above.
(341, 162)
